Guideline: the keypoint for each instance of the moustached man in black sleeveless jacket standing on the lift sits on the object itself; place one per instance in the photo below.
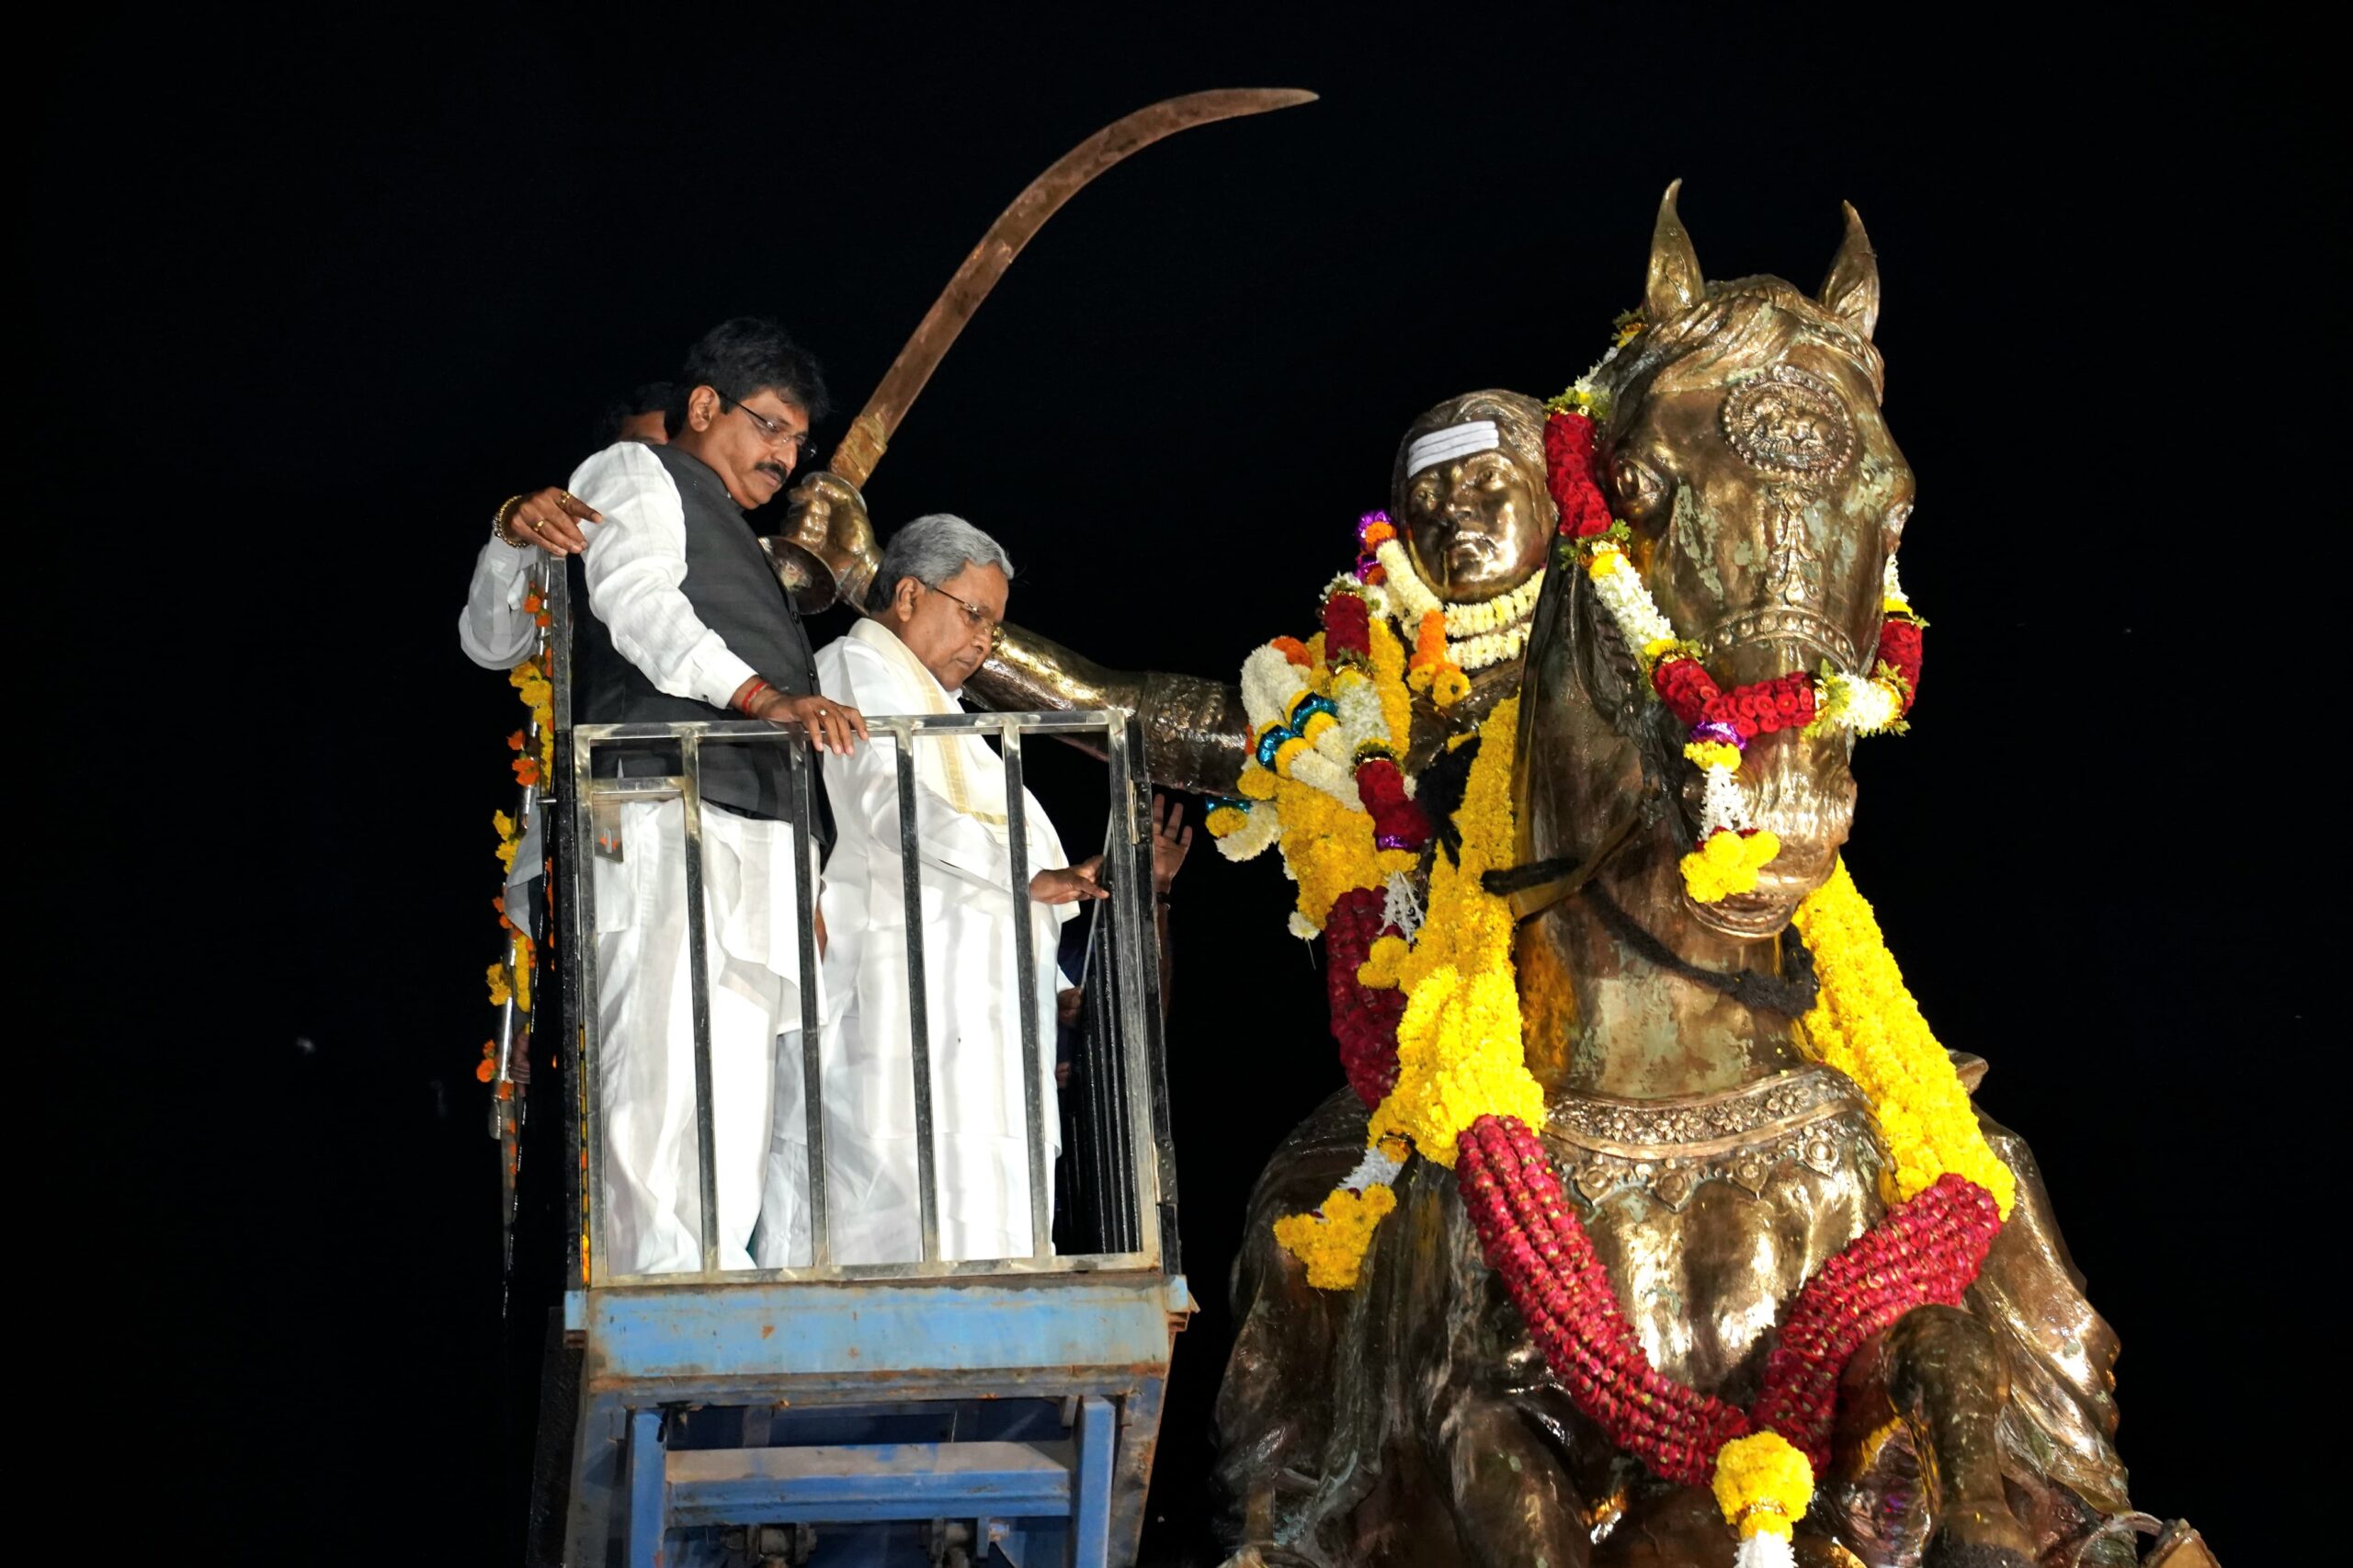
(693, 625)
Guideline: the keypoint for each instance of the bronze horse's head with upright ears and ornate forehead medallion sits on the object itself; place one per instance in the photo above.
(1747, 451)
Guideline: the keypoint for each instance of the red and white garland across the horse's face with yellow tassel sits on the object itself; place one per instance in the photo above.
(1731, 849)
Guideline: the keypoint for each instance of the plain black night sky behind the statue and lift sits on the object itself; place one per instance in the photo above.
(302, 300)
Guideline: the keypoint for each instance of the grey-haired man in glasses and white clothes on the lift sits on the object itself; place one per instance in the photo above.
(935, 609)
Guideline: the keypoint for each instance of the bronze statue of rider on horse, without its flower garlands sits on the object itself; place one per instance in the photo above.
(1709, 1157)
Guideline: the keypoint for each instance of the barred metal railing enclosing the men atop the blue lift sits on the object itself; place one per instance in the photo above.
(1124, 1105)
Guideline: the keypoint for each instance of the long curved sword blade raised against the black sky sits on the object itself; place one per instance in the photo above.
(869, 434)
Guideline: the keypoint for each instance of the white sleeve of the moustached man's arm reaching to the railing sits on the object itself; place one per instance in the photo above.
(636, 564)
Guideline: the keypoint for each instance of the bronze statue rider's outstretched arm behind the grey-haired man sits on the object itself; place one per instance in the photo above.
(1194, 731)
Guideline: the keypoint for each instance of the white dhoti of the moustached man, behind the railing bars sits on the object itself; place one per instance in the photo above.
(646, 1025)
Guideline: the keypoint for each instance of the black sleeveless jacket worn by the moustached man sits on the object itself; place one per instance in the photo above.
(735, 592)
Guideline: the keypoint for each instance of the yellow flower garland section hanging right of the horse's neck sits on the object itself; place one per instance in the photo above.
(1869, 1028)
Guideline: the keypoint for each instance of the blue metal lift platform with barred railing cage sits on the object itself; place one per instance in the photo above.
(931, 1411)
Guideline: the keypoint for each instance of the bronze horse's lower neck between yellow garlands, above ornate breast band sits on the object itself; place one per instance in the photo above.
(1606, 1021)
